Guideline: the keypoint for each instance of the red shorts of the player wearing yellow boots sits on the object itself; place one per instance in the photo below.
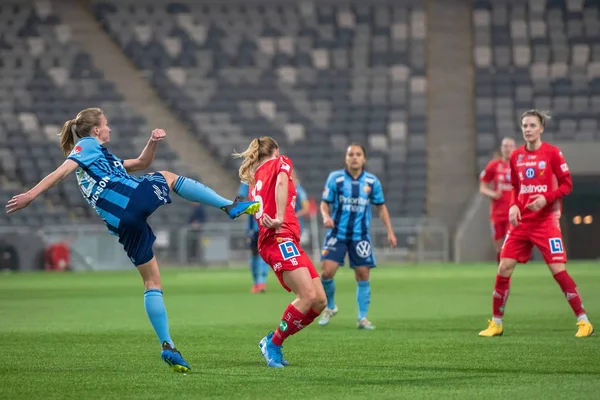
(545, 235)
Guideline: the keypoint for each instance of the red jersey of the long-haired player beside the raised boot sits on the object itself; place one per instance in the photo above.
(263, 191)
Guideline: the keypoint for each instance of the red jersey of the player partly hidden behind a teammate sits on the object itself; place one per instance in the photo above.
(498, 173)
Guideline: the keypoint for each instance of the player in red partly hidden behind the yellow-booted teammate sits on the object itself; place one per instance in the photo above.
(495, 184)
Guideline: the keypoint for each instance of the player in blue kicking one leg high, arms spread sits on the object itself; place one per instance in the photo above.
(125, 202)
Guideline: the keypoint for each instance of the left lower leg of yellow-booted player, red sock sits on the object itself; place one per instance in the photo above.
(499, 297)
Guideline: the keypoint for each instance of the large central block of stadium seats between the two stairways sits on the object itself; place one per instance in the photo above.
(315, 76)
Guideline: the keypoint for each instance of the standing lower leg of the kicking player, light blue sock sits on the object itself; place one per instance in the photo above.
(157, 314)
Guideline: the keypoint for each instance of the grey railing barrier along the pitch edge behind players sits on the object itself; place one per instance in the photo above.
(420, 240)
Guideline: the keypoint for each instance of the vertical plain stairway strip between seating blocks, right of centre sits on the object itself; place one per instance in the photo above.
(451, 131)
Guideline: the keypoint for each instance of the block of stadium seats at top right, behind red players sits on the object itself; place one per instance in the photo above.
(540, 54)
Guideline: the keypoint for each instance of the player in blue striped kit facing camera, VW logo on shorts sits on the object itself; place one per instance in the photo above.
(346, 212)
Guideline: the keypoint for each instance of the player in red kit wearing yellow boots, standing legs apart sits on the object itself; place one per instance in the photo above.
(540, 178)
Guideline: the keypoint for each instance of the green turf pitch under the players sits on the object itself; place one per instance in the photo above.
(86, 335)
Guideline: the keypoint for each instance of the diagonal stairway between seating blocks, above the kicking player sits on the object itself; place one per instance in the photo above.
(109, 58)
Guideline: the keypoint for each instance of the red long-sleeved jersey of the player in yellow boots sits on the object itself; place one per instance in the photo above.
(543, 171)
